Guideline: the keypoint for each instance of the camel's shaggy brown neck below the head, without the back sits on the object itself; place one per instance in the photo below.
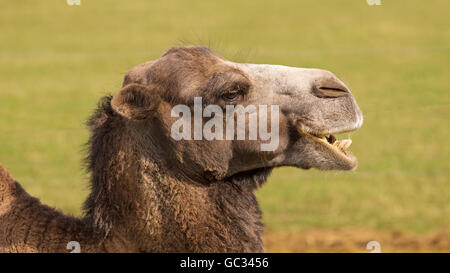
(147, 205)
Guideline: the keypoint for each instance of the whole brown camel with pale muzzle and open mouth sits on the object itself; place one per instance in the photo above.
(153, 193)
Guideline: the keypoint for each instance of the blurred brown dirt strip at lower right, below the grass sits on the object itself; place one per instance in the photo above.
(355, 240)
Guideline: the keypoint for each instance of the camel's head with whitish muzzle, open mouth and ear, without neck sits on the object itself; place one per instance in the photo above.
(289, 115)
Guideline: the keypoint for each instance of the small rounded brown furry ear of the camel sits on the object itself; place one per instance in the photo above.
(136, 101)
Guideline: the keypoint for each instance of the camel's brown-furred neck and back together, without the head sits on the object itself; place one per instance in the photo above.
(135, 207)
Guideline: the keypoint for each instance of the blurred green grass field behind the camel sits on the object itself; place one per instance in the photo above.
(56, 61)
